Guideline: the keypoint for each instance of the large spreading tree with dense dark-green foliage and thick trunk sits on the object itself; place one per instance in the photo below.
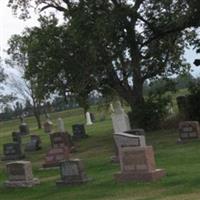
(119, 44)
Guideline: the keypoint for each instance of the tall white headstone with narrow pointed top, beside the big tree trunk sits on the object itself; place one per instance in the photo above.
(120, 119)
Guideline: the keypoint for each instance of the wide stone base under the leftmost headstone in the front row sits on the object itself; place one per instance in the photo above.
(22, 183)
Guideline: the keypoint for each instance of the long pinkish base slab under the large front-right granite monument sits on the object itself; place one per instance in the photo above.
(138, 176)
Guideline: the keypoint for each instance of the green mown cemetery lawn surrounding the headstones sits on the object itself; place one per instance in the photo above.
(181, 162)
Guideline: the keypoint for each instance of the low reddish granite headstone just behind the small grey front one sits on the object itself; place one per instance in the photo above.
(55, 155)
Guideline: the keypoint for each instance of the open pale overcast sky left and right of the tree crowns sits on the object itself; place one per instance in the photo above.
(10, 25)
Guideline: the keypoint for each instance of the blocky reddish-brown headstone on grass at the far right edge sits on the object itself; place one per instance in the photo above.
(189, 130)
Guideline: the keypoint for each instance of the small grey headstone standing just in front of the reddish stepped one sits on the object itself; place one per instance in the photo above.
(72, 172)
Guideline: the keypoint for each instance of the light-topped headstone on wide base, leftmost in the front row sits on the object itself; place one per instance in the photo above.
(20, 174)
